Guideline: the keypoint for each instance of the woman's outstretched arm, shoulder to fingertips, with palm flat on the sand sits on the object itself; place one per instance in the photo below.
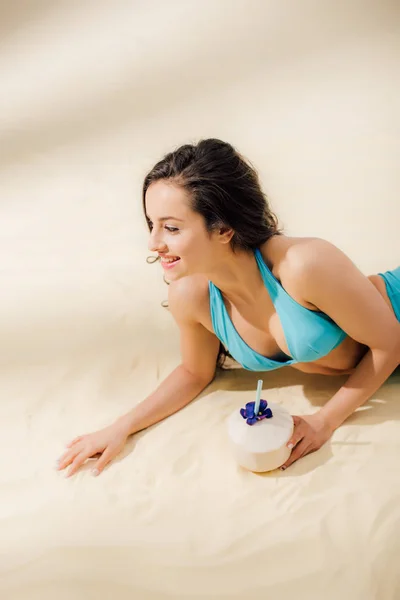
(199, 352)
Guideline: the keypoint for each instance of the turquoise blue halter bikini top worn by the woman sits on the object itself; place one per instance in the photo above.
(309, 334)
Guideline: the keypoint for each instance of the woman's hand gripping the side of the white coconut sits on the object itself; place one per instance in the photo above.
(309, 434)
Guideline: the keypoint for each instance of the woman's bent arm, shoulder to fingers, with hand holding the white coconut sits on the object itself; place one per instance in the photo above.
(331, 282)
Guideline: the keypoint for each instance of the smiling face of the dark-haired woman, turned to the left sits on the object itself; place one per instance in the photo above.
(178, 234)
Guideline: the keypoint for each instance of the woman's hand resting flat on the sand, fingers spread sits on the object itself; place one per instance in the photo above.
(107, 443)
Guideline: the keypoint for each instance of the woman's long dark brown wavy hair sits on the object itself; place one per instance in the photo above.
(225, 189)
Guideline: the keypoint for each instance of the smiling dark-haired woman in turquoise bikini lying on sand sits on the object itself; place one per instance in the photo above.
(238, 283)
